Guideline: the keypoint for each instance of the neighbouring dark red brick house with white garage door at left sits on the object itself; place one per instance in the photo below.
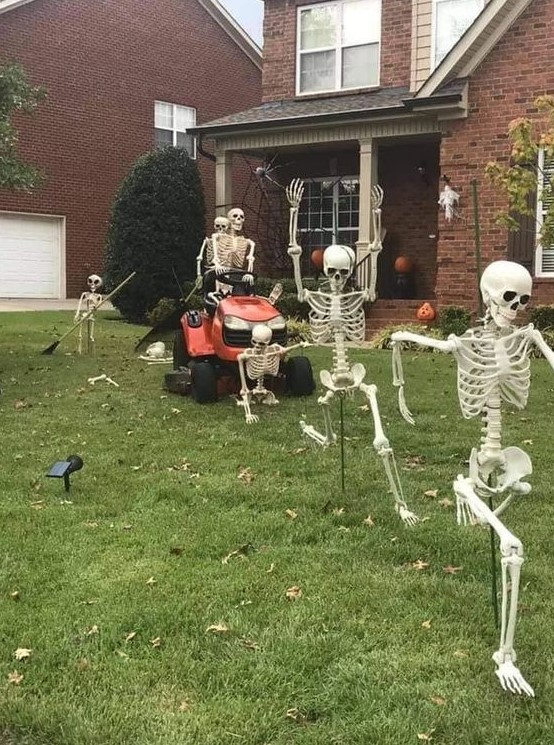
(122, 76)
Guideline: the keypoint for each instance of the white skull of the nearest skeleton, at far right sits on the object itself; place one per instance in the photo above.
(506, 288)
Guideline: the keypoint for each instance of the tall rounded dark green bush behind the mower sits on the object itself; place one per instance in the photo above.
(156, 229)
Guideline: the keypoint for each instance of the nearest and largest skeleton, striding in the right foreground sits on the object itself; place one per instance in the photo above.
(493, 367)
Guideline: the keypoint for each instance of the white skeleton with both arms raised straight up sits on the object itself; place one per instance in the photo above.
(337, 315)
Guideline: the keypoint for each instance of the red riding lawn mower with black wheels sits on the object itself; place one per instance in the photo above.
(208, 343)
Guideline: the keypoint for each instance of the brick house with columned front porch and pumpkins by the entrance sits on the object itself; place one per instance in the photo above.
(406, 93)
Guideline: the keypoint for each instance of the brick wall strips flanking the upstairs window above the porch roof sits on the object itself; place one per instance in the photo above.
(280, 46)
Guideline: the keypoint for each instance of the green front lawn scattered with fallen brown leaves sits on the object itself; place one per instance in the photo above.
(119, 581)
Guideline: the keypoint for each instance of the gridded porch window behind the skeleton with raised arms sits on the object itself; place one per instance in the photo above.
(330, 212)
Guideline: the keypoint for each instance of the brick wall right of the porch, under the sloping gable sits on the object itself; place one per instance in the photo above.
(502, 88)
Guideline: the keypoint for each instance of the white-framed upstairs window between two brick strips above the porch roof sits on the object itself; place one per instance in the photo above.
(338, 45)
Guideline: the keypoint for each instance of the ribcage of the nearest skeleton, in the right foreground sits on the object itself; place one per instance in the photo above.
(489, 365)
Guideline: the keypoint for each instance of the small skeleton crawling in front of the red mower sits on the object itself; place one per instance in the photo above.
(256, 362)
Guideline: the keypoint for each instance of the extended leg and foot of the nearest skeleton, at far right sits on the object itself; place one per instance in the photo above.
(511, 549)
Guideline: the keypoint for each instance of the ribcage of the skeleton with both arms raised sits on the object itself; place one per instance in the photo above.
(329, 314)
